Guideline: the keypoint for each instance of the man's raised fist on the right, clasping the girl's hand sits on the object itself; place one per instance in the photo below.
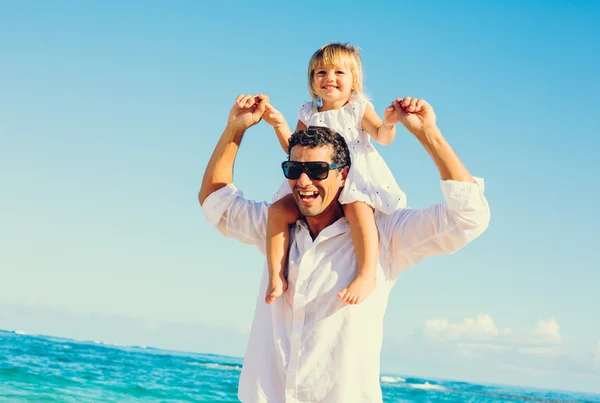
(415, 114)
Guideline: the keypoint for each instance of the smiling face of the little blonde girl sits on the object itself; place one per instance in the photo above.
(333, 83)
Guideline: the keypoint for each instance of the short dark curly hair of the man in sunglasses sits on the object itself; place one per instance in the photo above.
(317, 136)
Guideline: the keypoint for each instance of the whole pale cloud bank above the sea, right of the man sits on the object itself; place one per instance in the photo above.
(477, 345)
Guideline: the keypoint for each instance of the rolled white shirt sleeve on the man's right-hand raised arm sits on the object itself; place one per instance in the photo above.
(440, 229)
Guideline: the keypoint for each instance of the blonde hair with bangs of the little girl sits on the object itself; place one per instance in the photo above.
(337, 54)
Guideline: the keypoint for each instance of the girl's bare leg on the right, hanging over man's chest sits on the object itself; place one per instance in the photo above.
(366, 243)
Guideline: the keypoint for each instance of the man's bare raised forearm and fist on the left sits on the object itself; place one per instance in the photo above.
(246, 112)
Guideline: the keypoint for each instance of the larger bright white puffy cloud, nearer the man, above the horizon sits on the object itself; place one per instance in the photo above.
(480, 327)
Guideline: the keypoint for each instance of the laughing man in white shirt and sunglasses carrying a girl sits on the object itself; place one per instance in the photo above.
(310, 346)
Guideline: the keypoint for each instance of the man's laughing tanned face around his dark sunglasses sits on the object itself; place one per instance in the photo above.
(313, 197)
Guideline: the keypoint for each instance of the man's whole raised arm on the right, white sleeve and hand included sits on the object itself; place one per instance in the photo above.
(440, 229)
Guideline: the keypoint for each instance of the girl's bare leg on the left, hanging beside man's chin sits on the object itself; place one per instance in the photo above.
(282, 213)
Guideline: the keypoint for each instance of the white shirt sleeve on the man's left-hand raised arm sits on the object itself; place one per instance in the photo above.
(238, 218)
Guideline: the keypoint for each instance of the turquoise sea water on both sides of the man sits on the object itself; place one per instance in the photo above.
(48, 369)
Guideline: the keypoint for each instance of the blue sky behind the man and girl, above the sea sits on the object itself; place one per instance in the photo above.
(109, 112)
